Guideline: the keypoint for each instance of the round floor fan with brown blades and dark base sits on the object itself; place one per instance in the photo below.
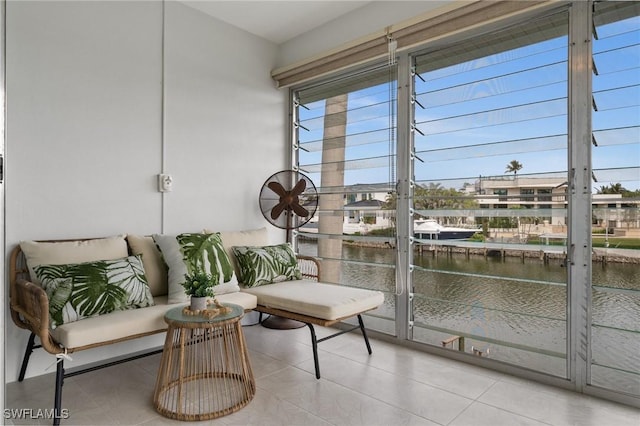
(288, 199)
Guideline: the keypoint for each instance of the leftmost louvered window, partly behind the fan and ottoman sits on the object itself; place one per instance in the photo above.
(345, 141)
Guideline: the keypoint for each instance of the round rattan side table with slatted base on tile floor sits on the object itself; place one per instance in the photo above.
(204, 371)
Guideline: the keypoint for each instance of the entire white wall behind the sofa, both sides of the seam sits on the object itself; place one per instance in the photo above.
(85, 129)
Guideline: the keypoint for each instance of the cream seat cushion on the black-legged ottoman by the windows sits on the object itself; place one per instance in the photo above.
(320, 300)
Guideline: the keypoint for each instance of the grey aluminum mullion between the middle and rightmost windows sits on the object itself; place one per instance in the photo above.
(579, 196)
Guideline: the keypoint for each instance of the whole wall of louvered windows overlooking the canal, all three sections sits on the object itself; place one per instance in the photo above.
(464, 215)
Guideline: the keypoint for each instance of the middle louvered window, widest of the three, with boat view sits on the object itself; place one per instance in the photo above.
(494, 106)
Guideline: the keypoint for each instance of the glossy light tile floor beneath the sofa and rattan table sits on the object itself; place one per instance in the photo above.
(394, 386)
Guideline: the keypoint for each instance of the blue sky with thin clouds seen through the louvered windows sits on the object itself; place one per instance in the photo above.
(475, 117)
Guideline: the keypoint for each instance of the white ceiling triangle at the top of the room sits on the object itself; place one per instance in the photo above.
(276, 21)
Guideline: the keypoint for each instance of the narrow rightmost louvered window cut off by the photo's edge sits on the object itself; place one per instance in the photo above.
(616, 174)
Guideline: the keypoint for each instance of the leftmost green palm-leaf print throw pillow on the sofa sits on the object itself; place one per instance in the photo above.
(81, 290)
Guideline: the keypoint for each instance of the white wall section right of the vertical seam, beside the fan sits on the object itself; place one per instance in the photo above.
(225, 125)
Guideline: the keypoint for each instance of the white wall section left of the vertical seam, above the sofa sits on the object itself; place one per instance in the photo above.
(83, 118)
